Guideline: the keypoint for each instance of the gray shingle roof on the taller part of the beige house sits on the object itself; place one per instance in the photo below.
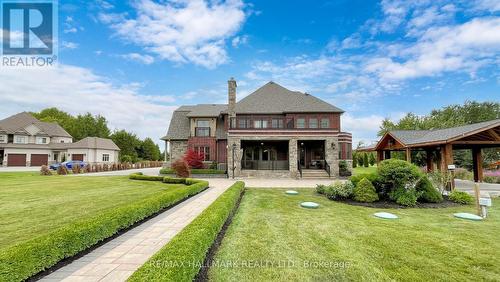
(17, 123)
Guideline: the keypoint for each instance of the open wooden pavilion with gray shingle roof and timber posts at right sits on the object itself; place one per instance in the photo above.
(441, 143)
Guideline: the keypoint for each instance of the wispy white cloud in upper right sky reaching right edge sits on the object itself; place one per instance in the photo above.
(464, 48)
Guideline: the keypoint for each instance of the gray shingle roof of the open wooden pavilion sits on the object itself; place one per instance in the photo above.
(411, 137)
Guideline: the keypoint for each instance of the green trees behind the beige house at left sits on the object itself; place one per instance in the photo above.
(132, 148)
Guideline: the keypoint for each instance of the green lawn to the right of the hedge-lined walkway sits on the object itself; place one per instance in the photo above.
(272, 238)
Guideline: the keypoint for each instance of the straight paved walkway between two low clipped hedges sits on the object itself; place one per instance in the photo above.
(117, 259)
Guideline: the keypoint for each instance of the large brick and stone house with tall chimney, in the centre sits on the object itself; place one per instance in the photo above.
(271, 132)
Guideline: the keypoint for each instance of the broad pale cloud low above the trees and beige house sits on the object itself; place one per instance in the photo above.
(79, 90)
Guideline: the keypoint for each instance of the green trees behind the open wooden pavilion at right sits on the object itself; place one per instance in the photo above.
(448, 116)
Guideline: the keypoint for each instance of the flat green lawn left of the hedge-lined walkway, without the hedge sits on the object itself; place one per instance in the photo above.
(32, 205)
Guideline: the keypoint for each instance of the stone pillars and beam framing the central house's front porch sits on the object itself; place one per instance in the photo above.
(331, 155)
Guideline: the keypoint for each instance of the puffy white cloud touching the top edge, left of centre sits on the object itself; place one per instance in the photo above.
(181, 31)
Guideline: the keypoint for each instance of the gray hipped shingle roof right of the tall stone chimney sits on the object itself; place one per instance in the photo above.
(273, 98)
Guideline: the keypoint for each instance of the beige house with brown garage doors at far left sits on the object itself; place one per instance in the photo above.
(26, 141)
